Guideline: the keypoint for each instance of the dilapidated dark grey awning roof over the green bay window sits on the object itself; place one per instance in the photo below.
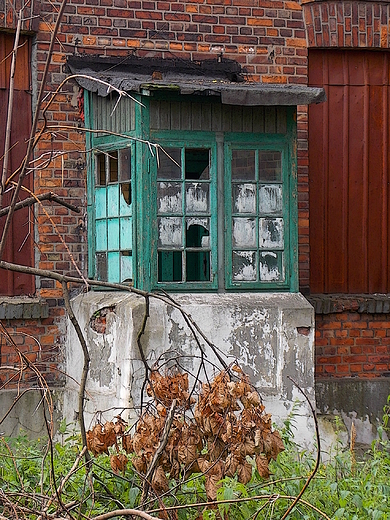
(222, 78)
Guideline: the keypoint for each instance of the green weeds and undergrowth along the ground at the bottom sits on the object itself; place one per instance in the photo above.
(342, 488)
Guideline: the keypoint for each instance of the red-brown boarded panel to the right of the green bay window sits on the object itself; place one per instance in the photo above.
(349, 172)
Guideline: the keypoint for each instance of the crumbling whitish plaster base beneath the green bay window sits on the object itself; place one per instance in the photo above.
(271, 336)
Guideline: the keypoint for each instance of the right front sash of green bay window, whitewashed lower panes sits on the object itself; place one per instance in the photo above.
(256, 246)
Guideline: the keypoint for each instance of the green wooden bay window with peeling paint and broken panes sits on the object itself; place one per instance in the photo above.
(211, 210)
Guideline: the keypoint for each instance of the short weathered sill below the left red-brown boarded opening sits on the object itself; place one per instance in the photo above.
(17, 308)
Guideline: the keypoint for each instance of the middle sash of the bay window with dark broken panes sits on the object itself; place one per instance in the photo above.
(184, 215)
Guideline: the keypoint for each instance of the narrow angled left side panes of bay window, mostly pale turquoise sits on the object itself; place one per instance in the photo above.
(114, 216)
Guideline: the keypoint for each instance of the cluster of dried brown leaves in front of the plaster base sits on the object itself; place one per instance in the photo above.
(228, 427)
